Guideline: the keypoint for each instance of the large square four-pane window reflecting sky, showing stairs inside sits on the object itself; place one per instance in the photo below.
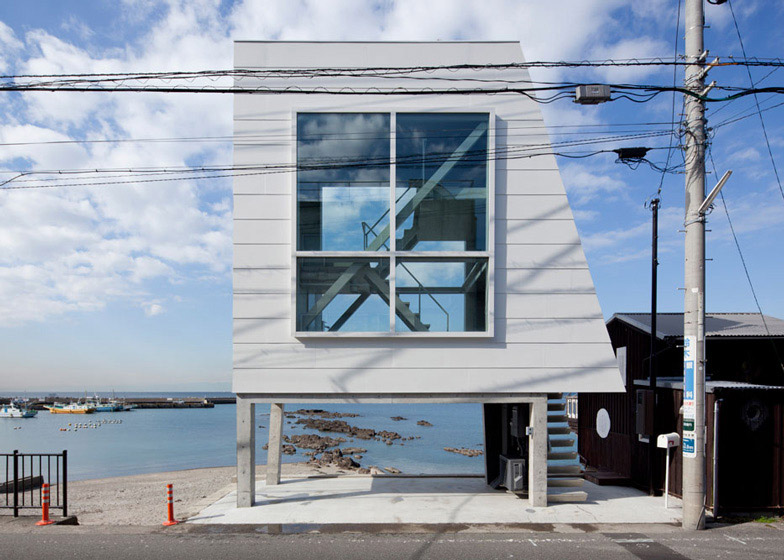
(403, 256)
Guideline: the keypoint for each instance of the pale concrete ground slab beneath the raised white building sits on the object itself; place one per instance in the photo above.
(393, 500)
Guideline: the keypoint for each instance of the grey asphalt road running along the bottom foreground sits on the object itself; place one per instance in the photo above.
(748, 541)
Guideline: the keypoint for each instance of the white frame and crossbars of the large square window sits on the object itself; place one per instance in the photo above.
(392, 254)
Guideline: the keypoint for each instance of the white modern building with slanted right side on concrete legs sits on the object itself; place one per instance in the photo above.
(395, 242)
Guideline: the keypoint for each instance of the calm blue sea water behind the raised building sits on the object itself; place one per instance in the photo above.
(154, 440)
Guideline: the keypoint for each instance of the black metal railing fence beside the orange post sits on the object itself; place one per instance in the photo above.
(24, 477)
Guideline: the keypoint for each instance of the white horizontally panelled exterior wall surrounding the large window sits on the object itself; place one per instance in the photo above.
(549, 334)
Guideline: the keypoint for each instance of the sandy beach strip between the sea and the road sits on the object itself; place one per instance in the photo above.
(140, 499)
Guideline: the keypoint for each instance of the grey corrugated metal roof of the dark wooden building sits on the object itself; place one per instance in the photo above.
(716, 324)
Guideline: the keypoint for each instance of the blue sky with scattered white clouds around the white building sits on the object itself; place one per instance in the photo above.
(129, 287)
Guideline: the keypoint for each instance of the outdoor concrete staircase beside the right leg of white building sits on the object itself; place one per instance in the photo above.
(564, 471)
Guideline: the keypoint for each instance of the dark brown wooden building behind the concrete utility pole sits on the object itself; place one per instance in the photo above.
(745, 388)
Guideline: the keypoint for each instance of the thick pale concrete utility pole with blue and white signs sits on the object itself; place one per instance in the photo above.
(693, 446)
